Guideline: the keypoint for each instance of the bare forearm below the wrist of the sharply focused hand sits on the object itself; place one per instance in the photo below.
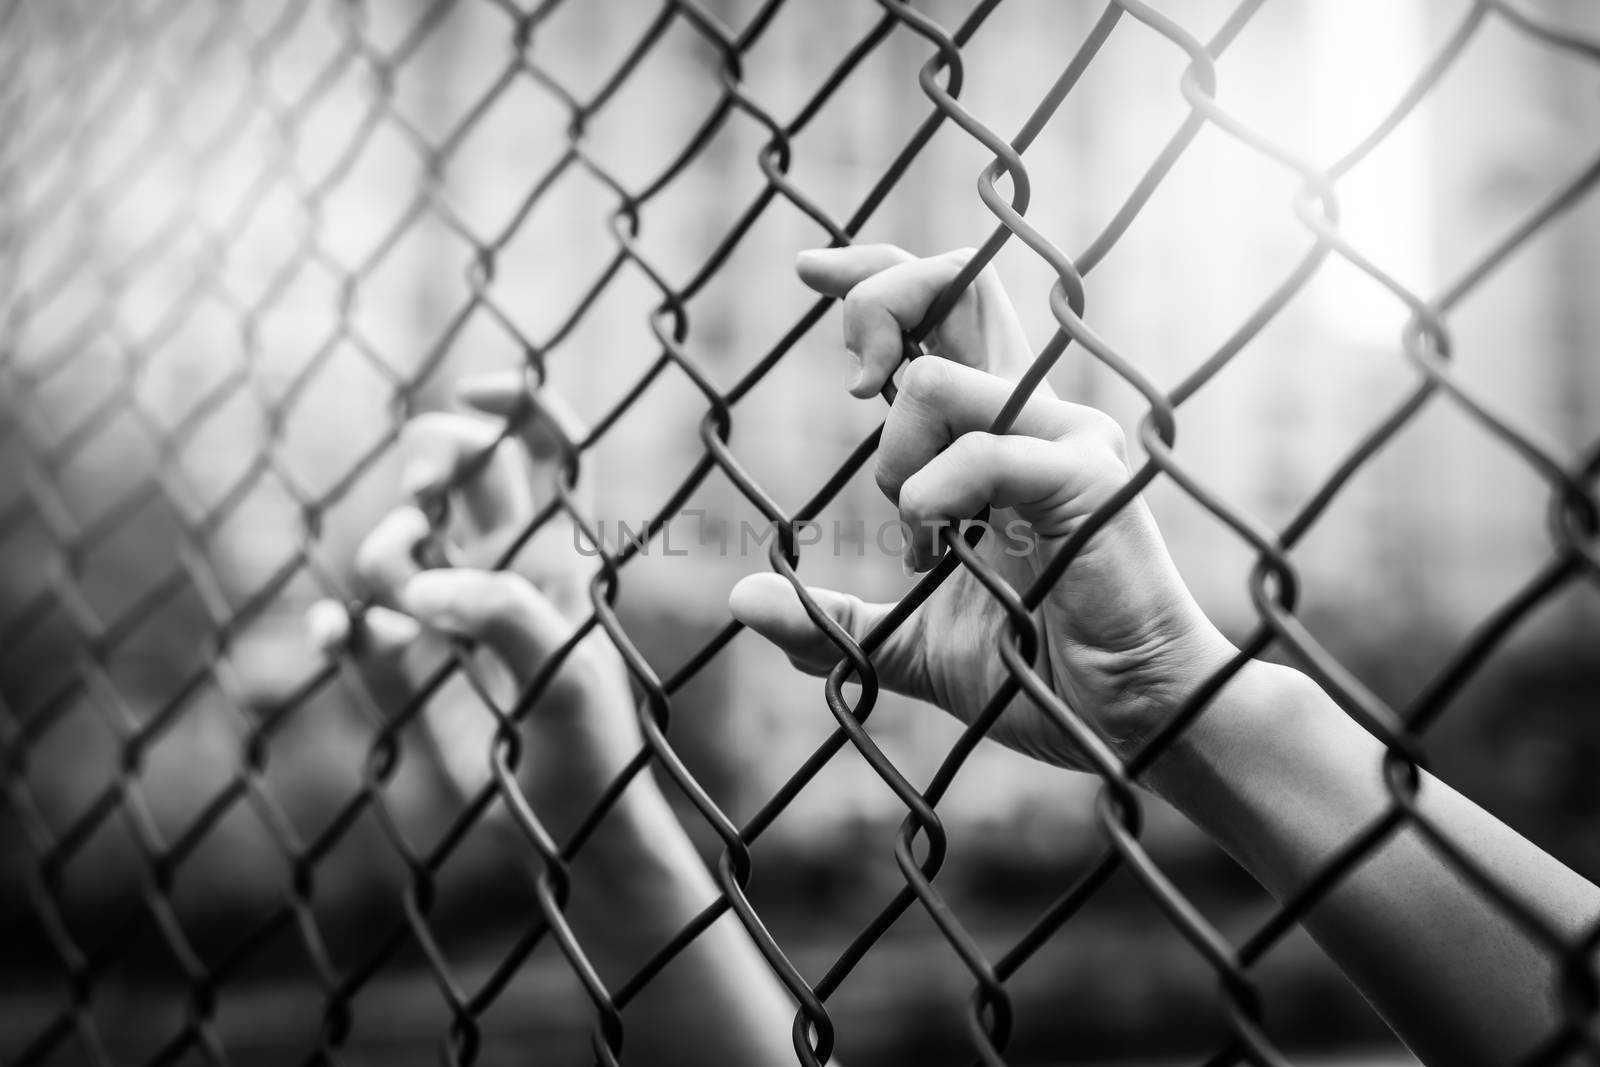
(1281, 778)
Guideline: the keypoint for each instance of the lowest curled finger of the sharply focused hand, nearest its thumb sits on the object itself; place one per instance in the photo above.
(1050, 486)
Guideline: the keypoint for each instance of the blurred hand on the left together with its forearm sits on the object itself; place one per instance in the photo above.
(639, 879)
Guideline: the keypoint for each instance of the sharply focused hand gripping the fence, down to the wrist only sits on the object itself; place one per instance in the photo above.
(1121, 637)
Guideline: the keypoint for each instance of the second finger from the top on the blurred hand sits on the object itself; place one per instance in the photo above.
(444, 452)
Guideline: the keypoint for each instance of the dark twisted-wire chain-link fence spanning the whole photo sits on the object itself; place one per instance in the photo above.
(105, 54)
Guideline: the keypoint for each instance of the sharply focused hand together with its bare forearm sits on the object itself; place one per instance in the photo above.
(1273, 770)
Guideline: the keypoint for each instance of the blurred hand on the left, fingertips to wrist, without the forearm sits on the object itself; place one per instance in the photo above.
(583, 729)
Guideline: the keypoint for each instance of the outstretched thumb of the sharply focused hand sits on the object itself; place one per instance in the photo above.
(769, 605)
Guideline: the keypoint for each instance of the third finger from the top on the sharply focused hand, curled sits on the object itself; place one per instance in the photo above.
(940, 402)
